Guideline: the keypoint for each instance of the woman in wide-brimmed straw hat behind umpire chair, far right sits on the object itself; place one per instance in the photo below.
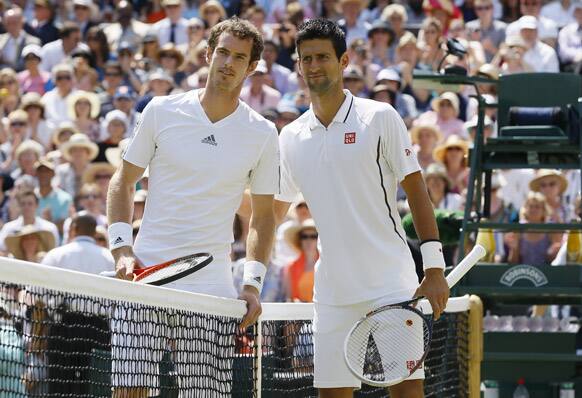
(552, 184)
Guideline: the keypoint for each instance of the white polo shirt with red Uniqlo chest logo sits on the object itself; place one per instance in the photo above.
(348, 174)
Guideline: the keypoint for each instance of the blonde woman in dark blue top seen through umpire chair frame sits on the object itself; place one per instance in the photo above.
(534, 248)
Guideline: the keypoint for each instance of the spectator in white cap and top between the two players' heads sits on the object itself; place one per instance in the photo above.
(258, 94)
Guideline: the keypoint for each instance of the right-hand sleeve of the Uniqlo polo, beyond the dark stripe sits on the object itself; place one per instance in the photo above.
(396, 146)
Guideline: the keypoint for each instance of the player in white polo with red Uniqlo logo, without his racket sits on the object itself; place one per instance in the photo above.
(347, 156)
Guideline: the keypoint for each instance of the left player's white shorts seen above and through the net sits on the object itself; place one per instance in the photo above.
(141, 337)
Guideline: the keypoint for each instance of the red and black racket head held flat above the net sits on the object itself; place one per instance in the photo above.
(172, 270)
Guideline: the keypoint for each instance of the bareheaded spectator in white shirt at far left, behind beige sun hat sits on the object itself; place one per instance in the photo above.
(28, 204)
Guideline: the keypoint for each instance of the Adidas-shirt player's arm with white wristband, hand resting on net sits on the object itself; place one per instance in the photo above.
(259, 245)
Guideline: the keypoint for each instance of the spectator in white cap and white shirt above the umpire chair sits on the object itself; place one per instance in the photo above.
(540, 56)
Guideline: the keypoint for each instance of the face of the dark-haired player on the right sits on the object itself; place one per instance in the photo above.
(319, 65)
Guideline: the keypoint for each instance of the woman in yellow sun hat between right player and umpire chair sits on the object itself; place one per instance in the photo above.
(453, 155)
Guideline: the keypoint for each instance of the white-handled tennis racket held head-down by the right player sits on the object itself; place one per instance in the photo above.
(391, 342)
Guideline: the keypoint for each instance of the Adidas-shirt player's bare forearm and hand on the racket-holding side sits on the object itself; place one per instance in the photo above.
(120, 210)
